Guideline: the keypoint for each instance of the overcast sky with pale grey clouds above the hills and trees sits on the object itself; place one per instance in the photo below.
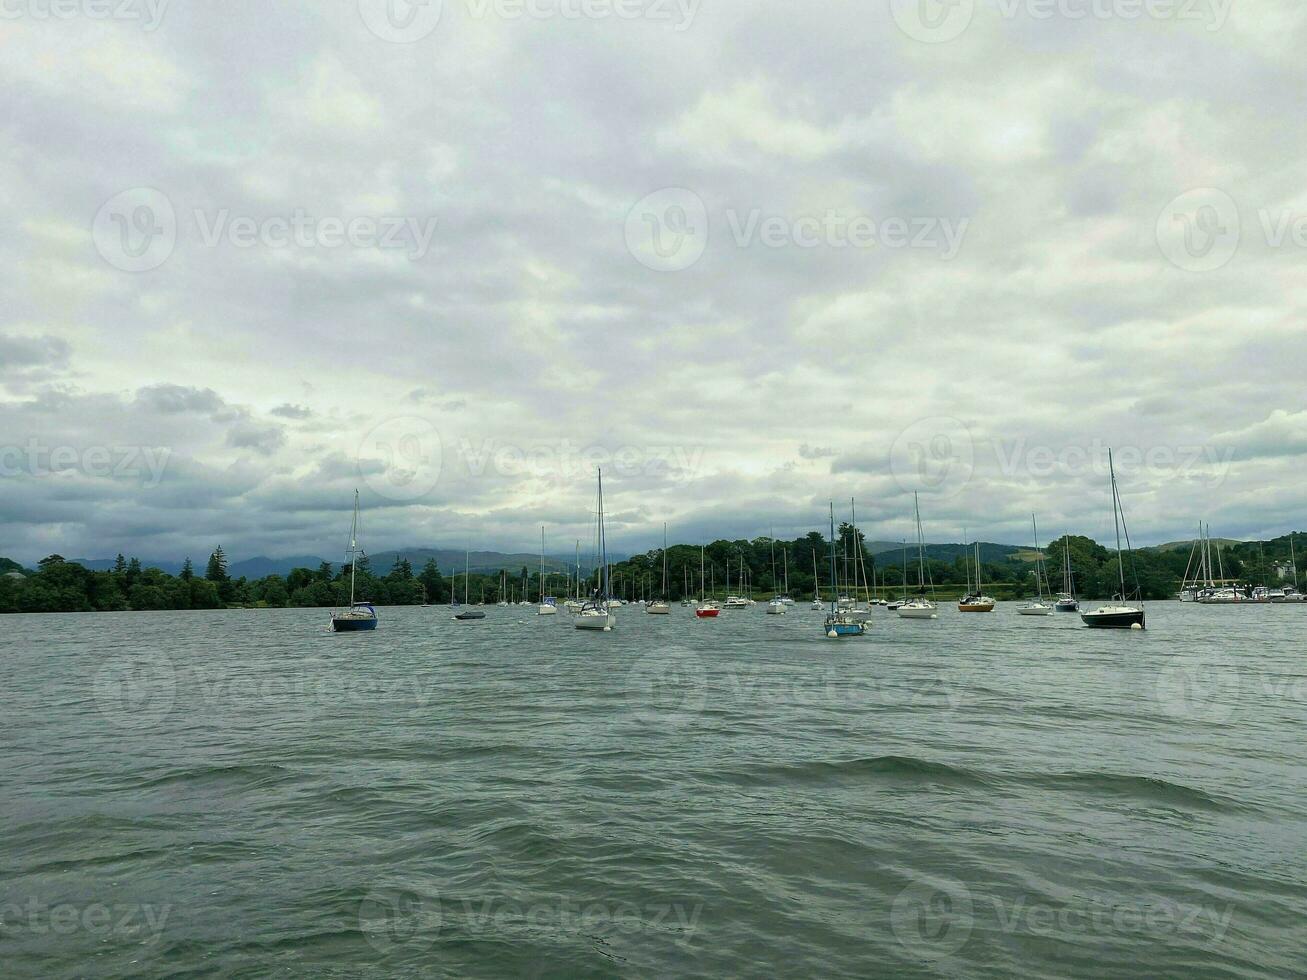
(751, 257)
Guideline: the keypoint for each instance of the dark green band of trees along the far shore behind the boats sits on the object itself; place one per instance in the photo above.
(58, 586)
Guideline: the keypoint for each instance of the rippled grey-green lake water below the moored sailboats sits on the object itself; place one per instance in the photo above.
(241, 795)
